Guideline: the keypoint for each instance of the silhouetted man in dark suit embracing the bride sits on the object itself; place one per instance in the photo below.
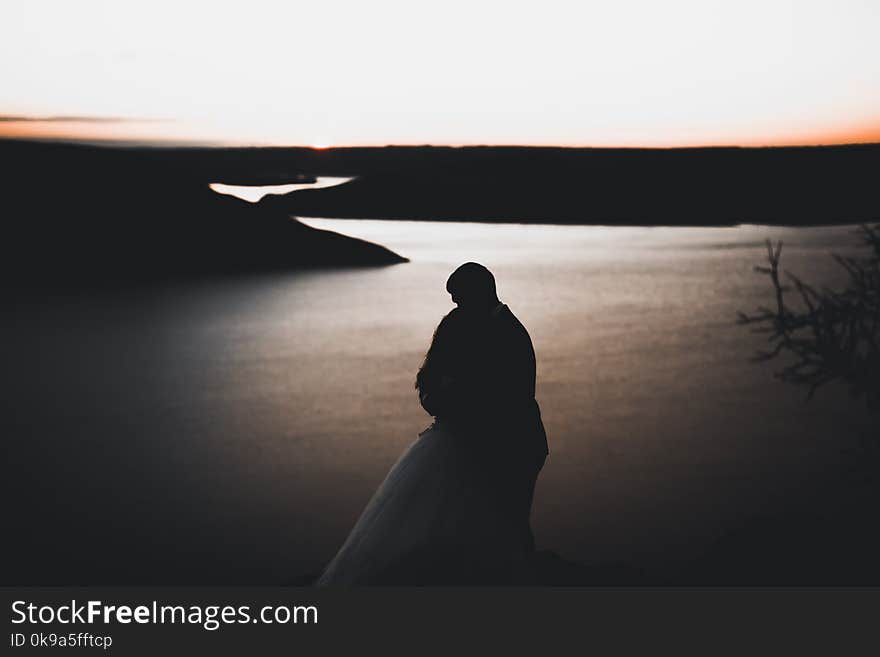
(478, 379)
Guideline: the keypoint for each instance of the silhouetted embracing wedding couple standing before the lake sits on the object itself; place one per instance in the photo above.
(455, 507)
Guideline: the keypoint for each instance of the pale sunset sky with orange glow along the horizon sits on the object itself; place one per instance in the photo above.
(620, 72)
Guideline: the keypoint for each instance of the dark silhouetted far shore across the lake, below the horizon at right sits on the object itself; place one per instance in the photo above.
(696, 186)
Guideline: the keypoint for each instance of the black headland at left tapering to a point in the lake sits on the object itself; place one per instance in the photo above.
(78, 215)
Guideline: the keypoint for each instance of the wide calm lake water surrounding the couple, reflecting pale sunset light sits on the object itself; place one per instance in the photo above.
(232, 430)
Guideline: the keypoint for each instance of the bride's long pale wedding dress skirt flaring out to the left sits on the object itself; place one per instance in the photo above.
(439, 517)
